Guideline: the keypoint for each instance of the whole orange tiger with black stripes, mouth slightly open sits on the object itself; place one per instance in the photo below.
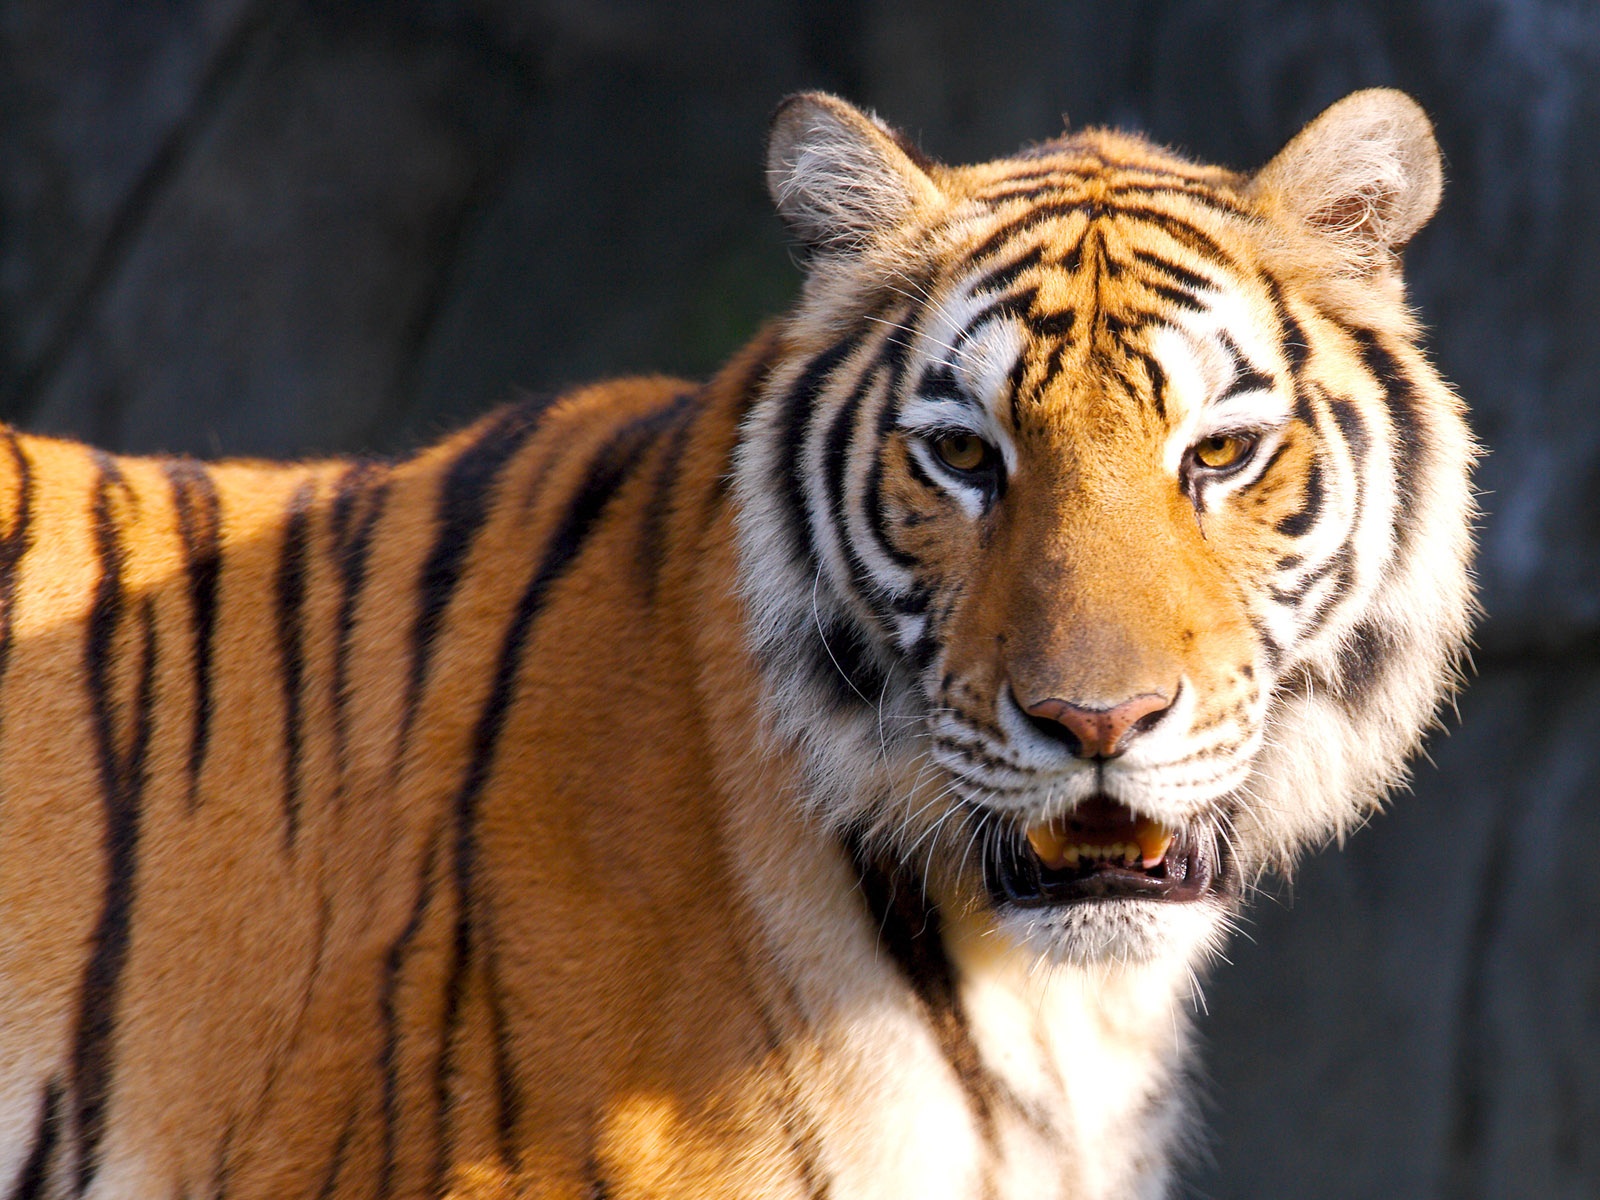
(830, 780)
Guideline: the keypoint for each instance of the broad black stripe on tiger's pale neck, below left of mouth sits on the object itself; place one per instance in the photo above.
(911, 930)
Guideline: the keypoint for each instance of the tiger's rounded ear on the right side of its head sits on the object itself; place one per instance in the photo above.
(1366, 174)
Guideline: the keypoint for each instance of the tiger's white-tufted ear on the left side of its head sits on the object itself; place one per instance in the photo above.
(839, 177)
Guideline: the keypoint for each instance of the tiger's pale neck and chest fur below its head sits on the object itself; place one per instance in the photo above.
(926, 1049)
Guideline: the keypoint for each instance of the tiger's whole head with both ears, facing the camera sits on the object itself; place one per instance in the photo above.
(1103, 529)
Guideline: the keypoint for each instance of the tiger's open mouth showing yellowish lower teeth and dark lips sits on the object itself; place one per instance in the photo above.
(1102, 850)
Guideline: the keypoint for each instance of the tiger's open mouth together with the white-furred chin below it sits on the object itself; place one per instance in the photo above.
(1110, 887)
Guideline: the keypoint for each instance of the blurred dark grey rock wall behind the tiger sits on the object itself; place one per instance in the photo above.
(289, 226)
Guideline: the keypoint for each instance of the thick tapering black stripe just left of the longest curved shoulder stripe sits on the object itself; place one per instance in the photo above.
(463, 508)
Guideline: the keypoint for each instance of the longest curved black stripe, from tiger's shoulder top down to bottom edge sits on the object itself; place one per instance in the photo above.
(607, 473)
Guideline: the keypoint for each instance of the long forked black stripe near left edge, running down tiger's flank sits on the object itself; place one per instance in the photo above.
(122, 783)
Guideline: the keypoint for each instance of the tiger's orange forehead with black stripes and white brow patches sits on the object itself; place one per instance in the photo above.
(1084, 306)
